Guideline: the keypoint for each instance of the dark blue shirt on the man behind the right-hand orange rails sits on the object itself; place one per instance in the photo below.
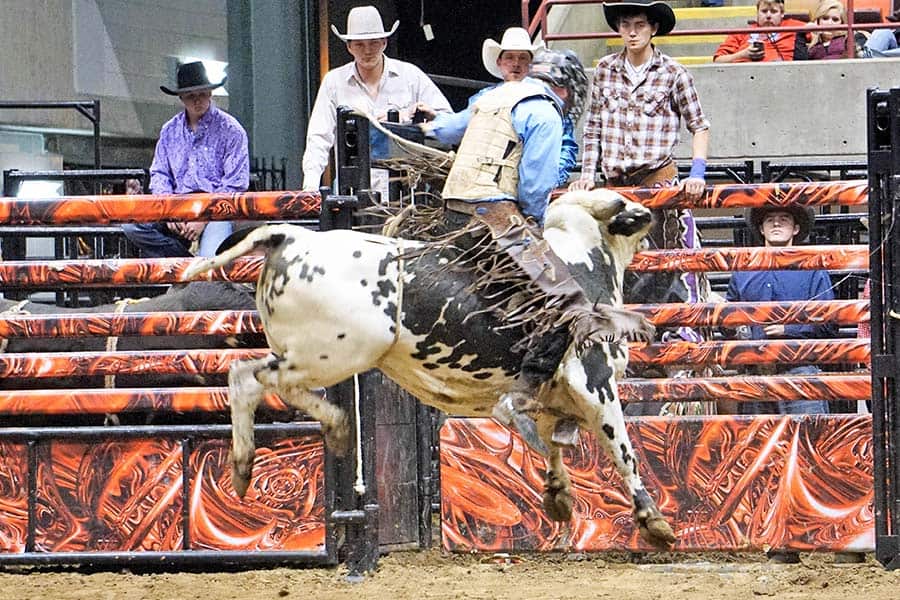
(773, 286)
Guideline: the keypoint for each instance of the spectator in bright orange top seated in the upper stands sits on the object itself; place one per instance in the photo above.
(764, 47)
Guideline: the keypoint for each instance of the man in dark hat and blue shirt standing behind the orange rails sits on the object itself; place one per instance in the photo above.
(782, 227)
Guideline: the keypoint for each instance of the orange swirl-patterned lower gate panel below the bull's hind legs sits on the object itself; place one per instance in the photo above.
(128, 496)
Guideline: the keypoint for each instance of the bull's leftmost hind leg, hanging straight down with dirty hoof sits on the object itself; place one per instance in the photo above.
(244, 394)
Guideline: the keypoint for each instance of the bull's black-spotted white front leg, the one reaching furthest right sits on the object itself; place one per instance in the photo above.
(590, 379)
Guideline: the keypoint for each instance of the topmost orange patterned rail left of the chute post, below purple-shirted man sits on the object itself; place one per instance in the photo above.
(149, 208)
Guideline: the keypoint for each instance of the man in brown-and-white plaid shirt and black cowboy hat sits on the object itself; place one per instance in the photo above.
(639, 98)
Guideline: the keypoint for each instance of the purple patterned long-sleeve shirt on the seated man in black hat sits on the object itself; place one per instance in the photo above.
(214, 158)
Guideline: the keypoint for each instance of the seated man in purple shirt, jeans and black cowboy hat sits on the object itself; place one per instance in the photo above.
(202, 149)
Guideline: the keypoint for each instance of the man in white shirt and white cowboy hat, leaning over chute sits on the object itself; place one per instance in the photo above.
(372, 81)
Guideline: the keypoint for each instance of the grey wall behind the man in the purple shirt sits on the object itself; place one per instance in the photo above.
(116, 50)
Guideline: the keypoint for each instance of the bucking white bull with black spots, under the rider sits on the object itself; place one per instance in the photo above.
(341, 302)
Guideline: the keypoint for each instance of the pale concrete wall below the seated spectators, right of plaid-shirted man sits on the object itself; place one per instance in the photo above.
(772, 110)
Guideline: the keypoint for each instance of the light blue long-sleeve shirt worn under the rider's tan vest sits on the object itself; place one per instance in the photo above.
(539, 126)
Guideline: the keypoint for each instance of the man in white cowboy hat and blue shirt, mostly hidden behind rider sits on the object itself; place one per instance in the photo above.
(510, 61)
